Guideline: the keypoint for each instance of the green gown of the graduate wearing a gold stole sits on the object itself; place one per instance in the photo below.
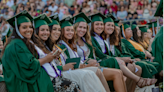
(148, 68)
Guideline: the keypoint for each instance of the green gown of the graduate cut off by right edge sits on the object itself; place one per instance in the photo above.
(157, 48)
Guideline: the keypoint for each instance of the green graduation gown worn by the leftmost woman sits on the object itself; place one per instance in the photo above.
(22, 71)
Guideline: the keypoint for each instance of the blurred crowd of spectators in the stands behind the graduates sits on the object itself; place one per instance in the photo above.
(121, 9)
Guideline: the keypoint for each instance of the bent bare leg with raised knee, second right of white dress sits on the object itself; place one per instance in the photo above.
(117, 77)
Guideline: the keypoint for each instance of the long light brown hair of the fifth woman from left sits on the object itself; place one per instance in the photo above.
(87, 36)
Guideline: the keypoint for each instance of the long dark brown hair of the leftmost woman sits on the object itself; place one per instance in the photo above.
(29, 45)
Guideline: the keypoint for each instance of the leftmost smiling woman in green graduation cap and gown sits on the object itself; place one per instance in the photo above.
(22, 70)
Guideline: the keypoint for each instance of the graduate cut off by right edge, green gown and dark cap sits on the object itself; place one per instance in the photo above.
(157, 45)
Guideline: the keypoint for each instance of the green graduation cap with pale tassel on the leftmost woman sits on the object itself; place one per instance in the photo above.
(22, 17)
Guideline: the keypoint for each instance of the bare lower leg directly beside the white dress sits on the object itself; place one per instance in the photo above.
(102, 79)
